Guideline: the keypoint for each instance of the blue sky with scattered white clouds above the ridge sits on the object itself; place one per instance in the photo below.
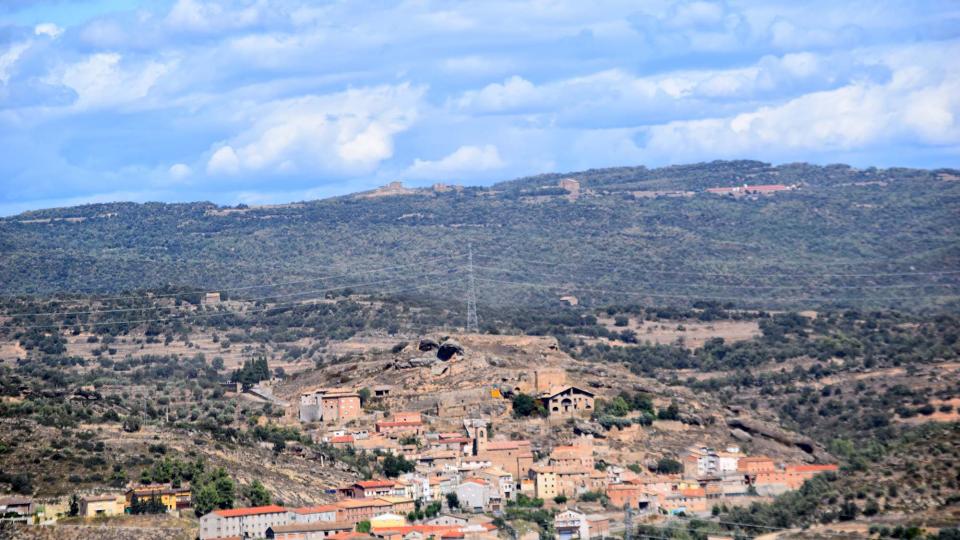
(257, 101)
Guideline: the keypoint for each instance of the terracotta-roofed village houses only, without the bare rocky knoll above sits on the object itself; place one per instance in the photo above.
(464, 469)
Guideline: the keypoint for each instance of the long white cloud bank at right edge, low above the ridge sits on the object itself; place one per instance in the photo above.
(856, 116)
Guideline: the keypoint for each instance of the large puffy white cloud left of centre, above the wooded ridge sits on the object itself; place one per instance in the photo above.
(349, 132)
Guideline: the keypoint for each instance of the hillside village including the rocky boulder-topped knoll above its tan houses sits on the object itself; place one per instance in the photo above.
(449, 472)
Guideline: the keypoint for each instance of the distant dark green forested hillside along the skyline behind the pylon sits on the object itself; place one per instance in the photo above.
(839, 236)
